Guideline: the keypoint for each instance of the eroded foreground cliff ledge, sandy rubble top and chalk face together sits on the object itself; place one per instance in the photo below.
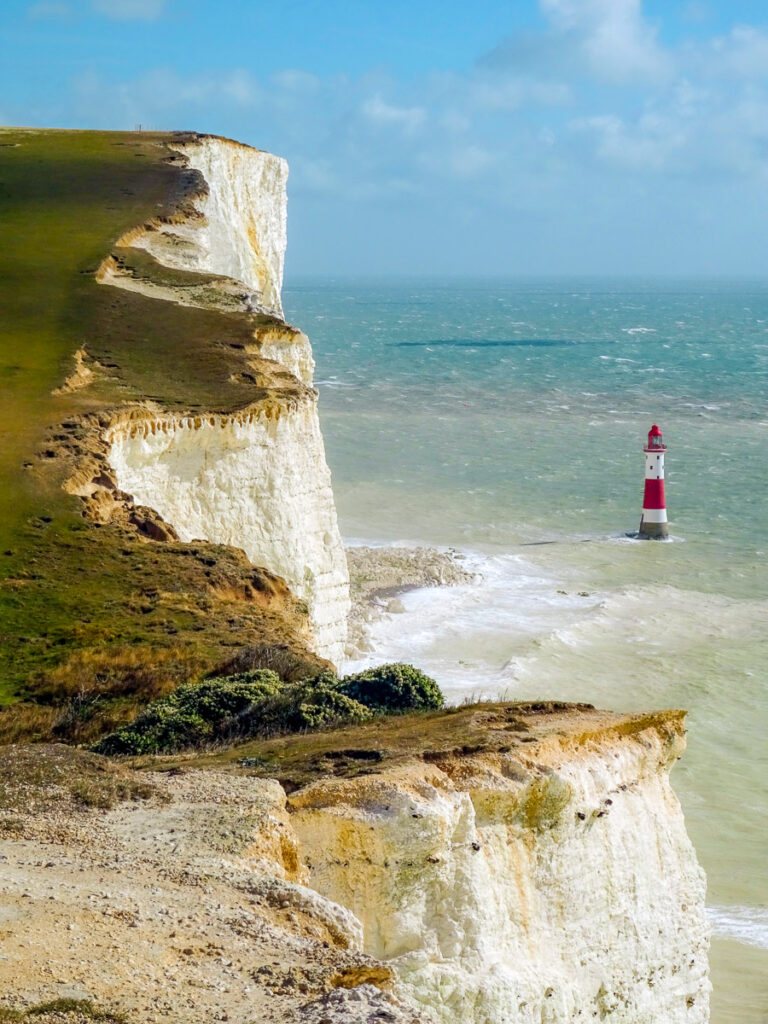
(530, 864)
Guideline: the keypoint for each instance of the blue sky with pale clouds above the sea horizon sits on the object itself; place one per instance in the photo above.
(443, 138)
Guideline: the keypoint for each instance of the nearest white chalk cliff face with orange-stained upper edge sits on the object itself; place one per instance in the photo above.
(552, 884)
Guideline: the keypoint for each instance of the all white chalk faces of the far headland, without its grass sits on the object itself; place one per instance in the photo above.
(258, 481)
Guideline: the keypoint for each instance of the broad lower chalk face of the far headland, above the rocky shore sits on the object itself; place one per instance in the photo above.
(258, 483)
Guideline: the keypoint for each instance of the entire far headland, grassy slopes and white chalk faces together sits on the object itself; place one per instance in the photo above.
(164, 494)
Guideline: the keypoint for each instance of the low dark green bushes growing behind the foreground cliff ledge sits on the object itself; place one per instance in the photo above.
(259, 703)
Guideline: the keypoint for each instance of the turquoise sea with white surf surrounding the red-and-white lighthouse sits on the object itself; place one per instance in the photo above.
(506, 420)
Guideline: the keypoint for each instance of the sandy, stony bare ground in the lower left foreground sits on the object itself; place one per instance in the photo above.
(186, 904)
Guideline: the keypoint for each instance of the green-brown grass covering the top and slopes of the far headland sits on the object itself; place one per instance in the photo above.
(68, 585)
